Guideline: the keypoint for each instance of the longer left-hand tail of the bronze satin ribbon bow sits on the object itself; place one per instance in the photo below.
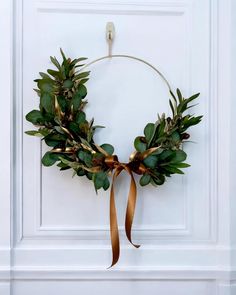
(114, 232)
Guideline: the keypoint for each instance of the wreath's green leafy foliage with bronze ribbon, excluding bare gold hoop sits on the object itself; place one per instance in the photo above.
(61, 122)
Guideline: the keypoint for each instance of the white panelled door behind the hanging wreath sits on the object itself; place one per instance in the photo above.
(60, 227)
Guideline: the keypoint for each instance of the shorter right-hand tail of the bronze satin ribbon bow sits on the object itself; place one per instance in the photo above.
(130, 208)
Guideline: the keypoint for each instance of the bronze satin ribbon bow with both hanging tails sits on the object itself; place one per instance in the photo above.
(113, 163)
